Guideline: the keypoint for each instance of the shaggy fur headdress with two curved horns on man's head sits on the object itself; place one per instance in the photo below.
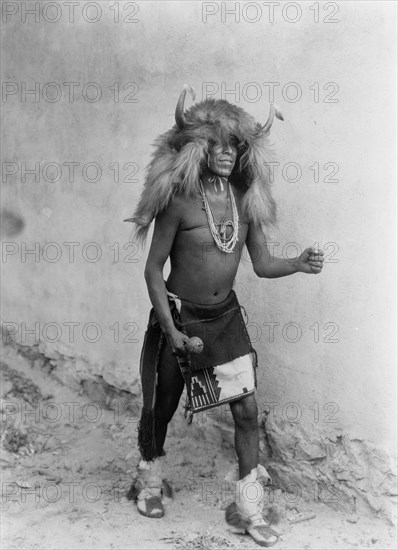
(182, 152)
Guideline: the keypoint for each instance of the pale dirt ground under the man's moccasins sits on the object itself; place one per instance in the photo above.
(67, 465)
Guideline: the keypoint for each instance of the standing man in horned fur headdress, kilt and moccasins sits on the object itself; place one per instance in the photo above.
(207, 188)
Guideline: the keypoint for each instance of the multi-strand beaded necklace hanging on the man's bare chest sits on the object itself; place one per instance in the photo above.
(224, 243)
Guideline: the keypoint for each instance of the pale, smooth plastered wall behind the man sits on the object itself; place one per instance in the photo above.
(106, 78)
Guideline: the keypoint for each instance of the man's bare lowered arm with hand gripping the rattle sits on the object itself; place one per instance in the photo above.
(166, 225)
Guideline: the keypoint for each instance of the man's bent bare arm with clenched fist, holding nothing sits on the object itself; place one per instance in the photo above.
(270, 267)
